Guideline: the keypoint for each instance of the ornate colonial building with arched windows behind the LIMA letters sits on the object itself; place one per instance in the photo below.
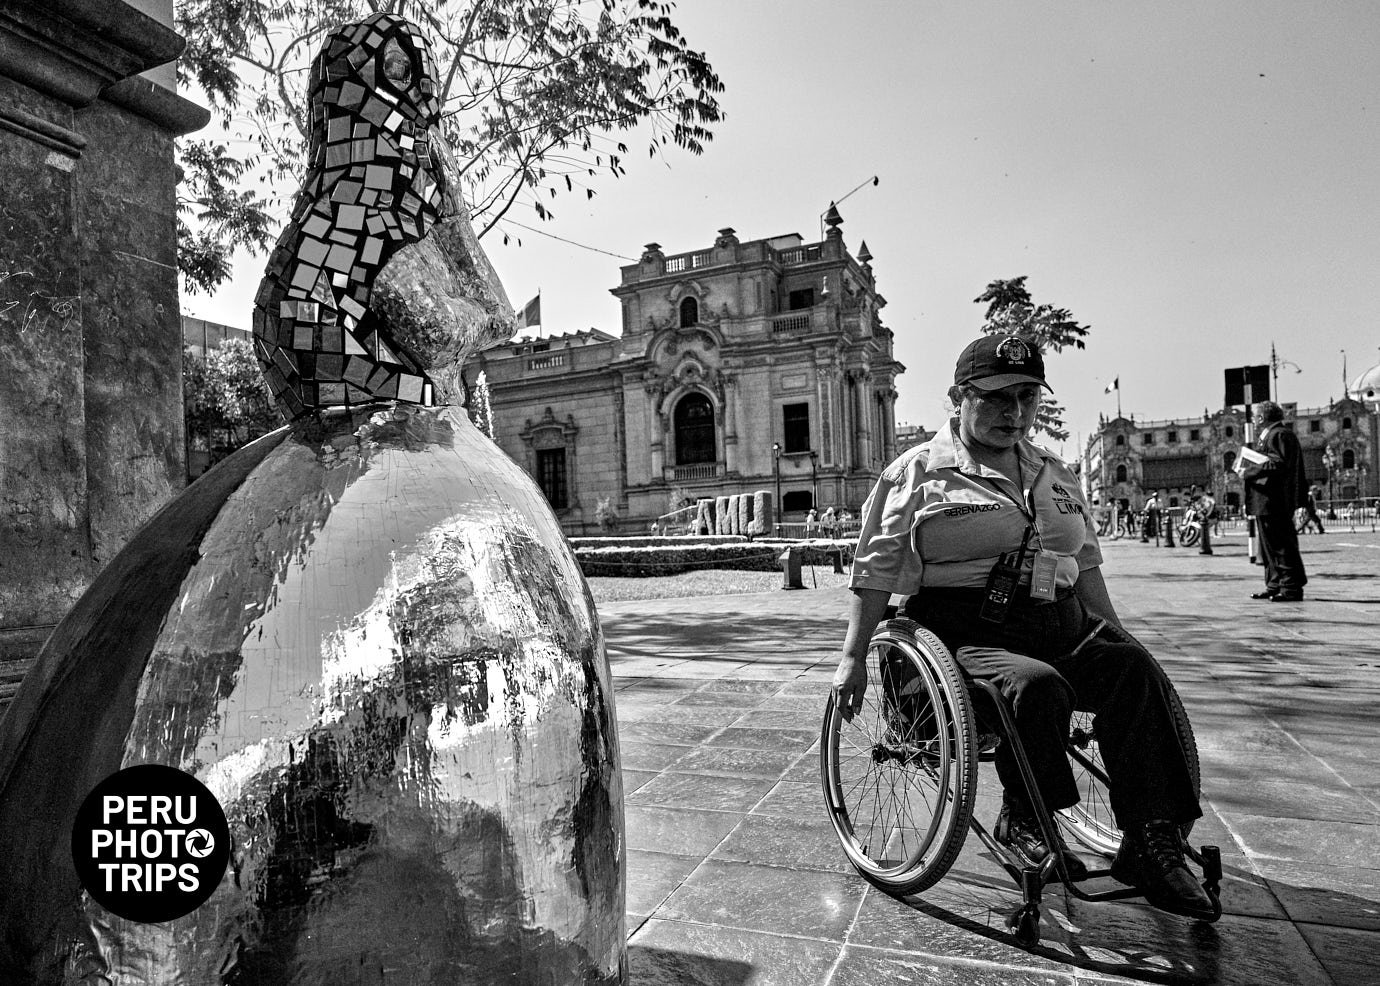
(757, 365)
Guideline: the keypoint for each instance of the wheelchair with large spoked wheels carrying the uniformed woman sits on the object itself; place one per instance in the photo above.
(900, 780)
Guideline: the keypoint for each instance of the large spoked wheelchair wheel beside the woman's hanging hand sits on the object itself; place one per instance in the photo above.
(900, 777)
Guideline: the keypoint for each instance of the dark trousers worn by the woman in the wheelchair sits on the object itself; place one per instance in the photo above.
(1112, 677)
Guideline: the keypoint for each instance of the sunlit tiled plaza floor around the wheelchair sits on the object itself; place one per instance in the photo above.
(735, 876)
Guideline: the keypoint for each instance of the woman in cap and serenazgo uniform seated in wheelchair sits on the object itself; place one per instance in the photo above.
(993, 543)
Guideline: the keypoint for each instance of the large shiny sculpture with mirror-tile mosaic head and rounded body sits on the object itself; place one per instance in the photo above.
(364, 633)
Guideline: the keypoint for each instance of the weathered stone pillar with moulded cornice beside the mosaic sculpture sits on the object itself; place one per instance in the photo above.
(92, 367)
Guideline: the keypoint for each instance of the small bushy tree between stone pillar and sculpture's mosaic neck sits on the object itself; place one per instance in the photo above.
(226, 400)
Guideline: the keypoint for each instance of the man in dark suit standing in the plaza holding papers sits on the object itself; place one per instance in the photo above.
(1276, 490)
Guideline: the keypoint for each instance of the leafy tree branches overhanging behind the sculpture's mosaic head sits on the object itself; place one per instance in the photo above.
(535, 93)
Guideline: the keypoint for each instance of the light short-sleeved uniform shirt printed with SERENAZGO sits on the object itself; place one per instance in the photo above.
(936, 519)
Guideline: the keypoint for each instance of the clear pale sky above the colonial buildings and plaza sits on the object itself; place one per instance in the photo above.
(1194, 180)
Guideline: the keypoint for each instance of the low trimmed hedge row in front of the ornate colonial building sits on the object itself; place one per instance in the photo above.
(676, 559)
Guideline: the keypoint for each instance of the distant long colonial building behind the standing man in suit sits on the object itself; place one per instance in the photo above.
(1128, 461)
